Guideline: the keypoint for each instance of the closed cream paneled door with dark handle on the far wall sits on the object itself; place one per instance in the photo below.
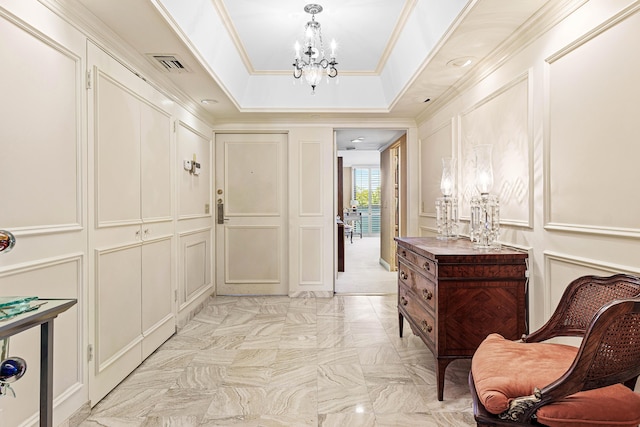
(250, 202)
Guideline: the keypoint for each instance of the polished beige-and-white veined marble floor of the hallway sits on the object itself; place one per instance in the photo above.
(279, 361)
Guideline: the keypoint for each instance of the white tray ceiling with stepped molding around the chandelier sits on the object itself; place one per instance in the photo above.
(393, 55)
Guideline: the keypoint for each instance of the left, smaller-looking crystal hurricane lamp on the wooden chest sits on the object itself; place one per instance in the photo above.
(447, 206)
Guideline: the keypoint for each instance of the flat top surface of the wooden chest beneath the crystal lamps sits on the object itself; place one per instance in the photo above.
(435, 248)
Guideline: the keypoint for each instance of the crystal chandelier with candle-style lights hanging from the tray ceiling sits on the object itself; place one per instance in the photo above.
(311, 61)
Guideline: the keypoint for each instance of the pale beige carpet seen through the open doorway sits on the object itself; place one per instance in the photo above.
(363, 273)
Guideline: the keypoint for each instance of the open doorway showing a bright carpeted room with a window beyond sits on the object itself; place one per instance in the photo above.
(369, 204)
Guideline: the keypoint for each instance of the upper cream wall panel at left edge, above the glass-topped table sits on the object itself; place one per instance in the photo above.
(40, 132)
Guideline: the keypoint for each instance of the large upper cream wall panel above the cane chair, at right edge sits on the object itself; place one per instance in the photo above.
(592, 189)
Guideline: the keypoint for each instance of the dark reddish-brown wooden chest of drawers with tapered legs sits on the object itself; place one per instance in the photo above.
(454, 296)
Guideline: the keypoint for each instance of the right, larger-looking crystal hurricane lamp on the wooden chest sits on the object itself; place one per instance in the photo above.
(485, 208)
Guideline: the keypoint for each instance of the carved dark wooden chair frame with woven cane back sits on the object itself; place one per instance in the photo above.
(606, 312)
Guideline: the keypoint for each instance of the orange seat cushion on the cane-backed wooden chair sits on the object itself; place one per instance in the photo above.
(503, 370)
